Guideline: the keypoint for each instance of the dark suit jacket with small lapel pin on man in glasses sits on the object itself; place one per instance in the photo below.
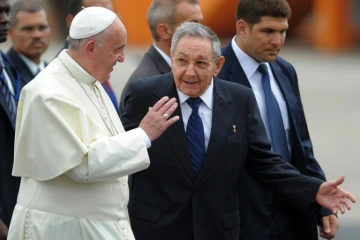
(168, 202)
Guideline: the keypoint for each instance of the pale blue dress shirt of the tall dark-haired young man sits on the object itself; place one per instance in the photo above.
(250, 66)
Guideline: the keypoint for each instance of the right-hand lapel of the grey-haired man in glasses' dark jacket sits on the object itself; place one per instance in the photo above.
(221, 120)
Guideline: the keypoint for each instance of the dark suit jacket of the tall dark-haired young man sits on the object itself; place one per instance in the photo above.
(262, 211)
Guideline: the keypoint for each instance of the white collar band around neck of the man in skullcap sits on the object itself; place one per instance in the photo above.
(75, 69)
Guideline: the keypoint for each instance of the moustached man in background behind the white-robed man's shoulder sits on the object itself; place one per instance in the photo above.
(30, 35)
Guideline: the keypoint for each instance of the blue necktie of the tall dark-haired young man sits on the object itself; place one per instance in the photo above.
(276, 124)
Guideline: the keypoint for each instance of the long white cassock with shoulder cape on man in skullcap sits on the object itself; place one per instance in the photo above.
(74, 173)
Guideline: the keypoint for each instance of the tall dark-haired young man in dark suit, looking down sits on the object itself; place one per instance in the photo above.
(261, 29)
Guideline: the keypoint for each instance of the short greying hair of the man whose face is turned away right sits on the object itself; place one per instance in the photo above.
(163, 11)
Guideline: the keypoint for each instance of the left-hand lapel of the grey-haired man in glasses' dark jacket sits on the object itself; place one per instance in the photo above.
(176, 133)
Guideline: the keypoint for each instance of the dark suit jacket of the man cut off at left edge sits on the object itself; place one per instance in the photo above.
(9, 185)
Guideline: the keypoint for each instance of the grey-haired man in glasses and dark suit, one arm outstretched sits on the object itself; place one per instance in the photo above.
(191, 189)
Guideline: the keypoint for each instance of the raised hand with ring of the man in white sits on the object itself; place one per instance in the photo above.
(158, 119)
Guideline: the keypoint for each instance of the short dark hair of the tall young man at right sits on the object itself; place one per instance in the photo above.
(252, 10)
